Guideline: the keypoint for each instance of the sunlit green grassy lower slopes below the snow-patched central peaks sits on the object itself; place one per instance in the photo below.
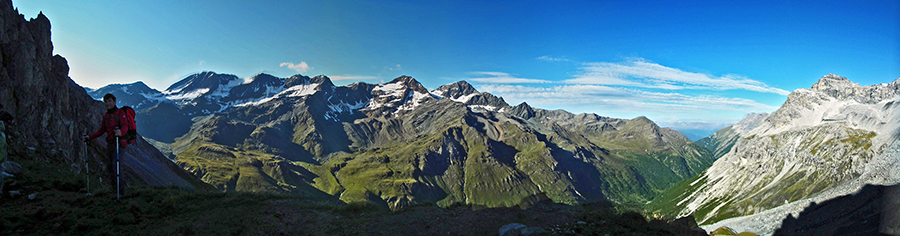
(484, 176)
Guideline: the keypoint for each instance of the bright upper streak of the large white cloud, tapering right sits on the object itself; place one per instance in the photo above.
(645, 74)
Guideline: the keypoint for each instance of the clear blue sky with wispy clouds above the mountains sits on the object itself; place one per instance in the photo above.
(697, 61)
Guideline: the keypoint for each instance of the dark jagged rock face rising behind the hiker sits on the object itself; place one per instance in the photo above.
(35, 88)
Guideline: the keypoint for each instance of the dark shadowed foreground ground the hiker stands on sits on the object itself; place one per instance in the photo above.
(62, 208)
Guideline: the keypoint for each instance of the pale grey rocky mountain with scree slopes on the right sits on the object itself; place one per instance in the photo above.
(824, 142)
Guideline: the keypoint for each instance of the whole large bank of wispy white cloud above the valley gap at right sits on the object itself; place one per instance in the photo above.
(633, 88)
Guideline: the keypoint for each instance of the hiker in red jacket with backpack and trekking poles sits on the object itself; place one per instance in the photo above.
(113, 118)
